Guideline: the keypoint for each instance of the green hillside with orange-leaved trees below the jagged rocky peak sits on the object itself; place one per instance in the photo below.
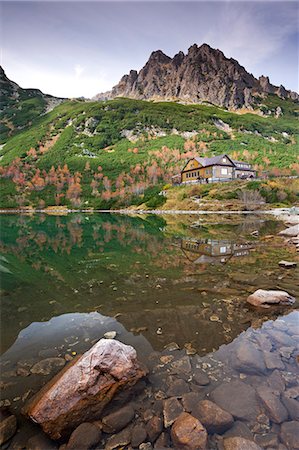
(121, 152)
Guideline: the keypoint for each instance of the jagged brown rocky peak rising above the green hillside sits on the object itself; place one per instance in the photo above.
(204, 74)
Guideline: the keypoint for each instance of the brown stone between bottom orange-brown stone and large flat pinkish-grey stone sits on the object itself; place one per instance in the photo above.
(213, 418)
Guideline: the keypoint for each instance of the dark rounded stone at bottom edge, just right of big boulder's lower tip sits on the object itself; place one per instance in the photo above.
(85, 437)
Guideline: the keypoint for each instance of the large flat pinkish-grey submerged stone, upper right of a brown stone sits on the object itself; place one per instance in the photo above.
(237, 398)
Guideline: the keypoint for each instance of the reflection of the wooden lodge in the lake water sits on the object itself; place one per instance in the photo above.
(214, 250)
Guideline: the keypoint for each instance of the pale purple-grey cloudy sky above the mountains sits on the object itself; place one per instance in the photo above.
(81, 48)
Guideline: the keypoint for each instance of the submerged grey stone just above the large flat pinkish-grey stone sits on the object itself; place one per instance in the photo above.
(248, 358)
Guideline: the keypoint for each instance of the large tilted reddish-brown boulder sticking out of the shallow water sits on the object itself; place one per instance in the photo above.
(81, 391)
